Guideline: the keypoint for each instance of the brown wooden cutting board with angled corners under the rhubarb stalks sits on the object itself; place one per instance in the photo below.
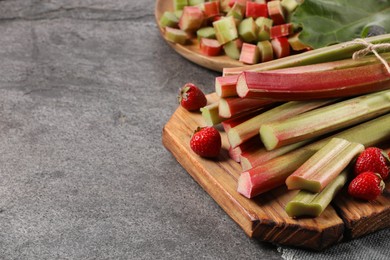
(264, 217)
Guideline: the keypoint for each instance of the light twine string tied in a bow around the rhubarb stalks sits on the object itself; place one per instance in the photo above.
(369, 47)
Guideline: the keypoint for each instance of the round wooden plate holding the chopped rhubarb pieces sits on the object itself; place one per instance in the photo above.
(192, 51)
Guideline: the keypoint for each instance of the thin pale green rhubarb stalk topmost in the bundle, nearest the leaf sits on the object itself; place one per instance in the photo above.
(330, 53)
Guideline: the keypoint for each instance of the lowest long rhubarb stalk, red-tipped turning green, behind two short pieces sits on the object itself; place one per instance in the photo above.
(274, 173)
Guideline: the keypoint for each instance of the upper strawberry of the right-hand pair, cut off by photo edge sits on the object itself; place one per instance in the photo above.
(373, 159)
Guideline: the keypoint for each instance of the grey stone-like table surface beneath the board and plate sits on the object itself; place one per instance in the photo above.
(86, 87)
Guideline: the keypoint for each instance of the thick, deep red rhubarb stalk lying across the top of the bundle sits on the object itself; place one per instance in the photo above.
(313, 84)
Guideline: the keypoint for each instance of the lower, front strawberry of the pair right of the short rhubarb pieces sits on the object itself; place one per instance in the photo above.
(366, 186)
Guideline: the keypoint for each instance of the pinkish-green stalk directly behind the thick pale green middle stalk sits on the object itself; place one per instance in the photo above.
(240, 133)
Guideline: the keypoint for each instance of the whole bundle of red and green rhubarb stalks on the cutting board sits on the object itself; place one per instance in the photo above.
(302, 120)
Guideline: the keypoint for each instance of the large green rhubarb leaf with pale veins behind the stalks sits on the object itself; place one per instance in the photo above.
(326, 22)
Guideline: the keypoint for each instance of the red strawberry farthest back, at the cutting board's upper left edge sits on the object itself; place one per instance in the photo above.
(191, 97)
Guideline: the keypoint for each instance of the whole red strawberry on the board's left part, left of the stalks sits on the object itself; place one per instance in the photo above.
(206, 142)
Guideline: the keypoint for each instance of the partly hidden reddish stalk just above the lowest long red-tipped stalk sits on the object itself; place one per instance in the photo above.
(260, 155)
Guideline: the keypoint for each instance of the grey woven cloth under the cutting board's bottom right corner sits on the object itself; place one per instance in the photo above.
(375, 246)
